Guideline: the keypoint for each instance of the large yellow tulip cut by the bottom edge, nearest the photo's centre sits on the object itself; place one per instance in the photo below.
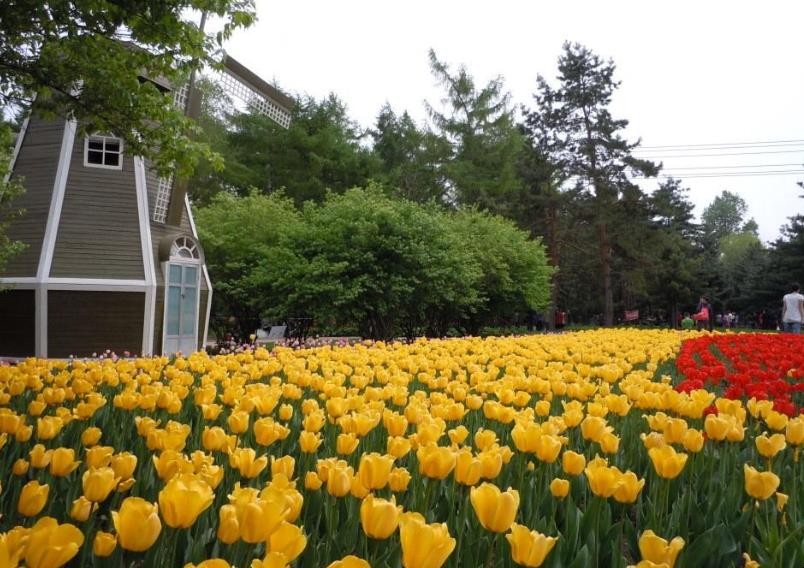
(423, 545)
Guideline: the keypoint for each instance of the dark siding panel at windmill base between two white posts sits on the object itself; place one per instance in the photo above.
(83, 323)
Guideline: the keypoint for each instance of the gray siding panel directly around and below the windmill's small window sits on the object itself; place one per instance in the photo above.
(98, 234)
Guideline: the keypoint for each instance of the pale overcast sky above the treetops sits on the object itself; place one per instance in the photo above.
(692, 73)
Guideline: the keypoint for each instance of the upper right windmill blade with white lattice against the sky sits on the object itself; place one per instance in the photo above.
(242, 84)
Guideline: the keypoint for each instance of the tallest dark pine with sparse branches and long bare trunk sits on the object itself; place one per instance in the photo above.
(585, 142)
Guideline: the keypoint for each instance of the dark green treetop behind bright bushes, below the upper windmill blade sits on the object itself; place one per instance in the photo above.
(320, 151)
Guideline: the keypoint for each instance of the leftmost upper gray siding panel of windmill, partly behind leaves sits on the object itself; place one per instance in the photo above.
(36, 164)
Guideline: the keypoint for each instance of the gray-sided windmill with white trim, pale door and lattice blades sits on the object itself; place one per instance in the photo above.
(113, 259)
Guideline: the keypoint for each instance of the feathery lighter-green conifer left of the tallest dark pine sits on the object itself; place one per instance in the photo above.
(480, 125)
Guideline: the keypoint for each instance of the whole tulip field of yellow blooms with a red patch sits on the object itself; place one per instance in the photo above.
(606, 448)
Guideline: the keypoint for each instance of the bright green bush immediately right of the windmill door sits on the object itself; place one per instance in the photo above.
(241, 236)
